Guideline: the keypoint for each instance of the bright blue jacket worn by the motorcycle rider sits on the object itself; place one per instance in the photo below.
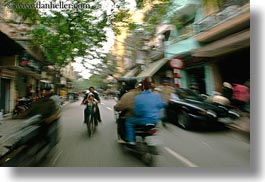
(148, 106)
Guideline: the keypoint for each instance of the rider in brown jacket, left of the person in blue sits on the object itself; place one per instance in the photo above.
(126, 106)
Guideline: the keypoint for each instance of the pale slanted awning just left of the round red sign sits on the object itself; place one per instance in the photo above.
(152, 68)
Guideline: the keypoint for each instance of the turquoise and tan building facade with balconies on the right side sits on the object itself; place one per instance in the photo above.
(210, 38)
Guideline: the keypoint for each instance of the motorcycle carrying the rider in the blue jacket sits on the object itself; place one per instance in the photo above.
(146, 147)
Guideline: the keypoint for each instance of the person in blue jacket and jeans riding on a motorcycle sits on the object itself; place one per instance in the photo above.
(147, 109)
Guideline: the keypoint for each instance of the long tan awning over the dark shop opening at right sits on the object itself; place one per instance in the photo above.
(226, 45)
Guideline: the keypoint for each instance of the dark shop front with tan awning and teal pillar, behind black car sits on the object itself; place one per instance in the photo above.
(225, 60)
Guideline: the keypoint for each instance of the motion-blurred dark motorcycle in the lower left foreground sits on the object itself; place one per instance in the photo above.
(31, 144)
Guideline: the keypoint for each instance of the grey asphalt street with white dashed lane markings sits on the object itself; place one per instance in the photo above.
(179, 148)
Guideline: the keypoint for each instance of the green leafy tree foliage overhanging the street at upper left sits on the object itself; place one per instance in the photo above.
(66, 34)
